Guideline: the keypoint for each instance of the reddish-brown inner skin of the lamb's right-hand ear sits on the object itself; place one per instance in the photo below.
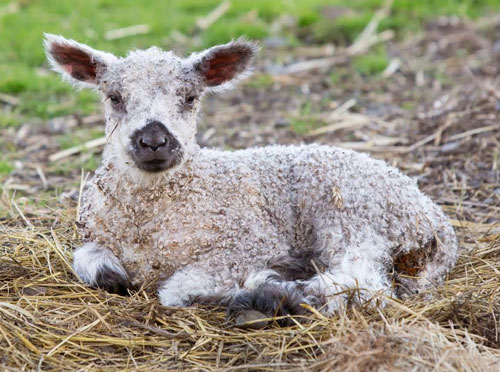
(225, 64)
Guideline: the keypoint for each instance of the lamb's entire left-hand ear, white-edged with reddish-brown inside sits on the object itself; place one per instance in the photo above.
(78, 63)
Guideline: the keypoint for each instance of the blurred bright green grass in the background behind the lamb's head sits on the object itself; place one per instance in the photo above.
(23, 69)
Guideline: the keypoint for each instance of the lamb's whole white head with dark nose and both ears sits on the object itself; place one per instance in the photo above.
(151, 97)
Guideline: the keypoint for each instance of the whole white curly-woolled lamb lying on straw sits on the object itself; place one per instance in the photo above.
(261, 230)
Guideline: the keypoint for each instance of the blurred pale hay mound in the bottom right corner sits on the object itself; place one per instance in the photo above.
(400, 347)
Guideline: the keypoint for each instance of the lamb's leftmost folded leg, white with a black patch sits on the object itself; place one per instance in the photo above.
(99, 267)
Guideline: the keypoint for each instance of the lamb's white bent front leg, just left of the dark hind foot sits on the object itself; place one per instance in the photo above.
(191, 285)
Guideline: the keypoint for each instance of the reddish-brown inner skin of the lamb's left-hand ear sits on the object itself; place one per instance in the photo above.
(75, 62)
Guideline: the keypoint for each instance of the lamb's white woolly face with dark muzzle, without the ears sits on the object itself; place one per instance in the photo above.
(152, 100)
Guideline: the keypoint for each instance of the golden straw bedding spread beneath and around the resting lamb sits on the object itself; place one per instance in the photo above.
(48, 321)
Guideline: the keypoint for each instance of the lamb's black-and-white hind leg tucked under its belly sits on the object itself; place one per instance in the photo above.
(355, 277)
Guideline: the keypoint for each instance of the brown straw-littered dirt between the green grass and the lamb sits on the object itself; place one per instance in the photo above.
(446, 84)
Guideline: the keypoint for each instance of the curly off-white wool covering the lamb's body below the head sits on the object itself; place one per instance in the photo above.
(229, 213)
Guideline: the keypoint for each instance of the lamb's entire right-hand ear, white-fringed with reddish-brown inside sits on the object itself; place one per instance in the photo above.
(223, 65)
